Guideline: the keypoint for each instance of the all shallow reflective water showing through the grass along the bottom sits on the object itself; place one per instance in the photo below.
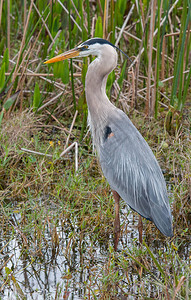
(71, 270)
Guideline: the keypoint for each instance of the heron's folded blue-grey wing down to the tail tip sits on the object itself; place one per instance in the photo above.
(132, 170)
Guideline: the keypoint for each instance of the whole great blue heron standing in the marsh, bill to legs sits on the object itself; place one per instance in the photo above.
(126, 160)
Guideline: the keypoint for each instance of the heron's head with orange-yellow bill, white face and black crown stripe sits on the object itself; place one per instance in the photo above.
(92, 46)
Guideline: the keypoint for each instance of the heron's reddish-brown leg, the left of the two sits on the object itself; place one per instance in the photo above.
(117, 220)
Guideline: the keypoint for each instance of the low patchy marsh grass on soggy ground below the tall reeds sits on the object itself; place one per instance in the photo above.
(53, 214)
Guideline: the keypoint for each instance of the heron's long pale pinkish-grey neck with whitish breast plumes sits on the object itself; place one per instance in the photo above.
(99, 106)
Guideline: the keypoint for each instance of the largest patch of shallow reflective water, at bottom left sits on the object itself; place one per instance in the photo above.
(49, 272)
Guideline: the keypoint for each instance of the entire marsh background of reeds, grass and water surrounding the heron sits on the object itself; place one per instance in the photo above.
(57, 225)
